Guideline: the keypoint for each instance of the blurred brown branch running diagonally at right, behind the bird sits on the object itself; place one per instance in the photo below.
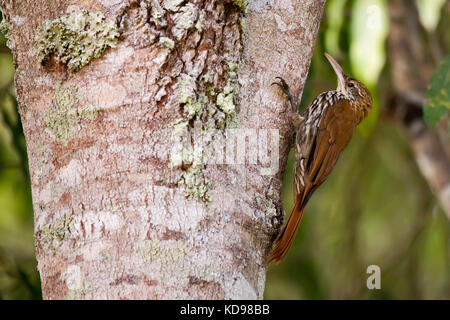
(412, 62)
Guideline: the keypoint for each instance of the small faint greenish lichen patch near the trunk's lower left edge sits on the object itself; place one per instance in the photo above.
(52, 234)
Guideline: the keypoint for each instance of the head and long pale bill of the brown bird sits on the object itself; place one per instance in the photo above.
(356, 92)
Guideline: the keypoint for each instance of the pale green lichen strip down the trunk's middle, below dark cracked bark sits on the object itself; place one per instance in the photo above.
(204, 111)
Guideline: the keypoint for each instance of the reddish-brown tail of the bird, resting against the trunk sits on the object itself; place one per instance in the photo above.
(284, 240)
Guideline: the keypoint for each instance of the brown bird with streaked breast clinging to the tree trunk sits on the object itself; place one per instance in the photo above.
(322, 133)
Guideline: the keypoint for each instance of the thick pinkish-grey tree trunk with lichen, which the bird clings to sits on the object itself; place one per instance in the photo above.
(116, 216)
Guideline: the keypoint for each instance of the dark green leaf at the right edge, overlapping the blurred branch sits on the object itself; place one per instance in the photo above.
(437, 99)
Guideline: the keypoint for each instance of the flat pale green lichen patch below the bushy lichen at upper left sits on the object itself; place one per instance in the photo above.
(64, 114)
